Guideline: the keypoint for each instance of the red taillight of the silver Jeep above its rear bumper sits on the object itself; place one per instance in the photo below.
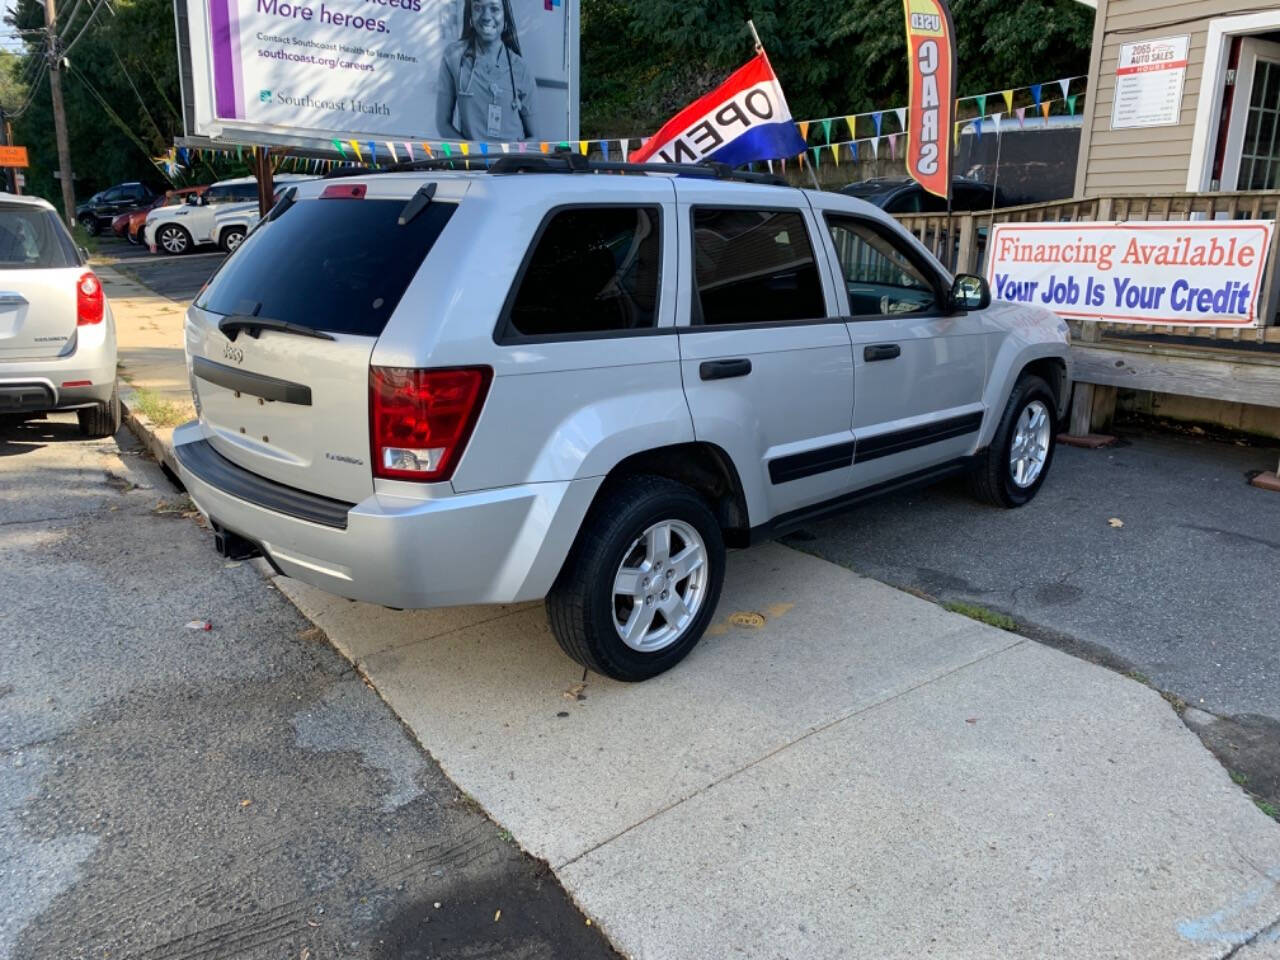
(420, 420)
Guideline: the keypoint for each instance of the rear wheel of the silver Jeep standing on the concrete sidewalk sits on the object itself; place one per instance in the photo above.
(642, 583)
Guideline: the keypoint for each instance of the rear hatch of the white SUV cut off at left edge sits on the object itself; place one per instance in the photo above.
(39, 271)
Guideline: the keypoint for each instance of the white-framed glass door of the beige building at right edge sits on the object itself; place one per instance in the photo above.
(1252, 158)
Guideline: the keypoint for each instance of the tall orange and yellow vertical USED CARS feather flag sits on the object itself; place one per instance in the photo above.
(931, 54)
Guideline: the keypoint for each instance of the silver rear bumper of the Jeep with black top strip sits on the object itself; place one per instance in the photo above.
(499, 546)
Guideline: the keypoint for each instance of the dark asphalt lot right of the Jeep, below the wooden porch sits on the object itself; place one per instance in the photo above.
(1185, 592)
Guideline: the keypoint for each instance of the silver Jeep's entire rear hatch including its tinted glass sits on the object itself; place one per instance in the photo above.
(281, 340)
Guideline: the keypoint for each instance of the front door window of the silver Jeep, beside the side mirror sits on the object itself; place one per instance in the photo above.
(881, 280)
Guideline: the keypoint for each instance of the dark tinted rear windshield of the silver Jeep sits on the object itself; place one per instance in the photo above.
(336, 266)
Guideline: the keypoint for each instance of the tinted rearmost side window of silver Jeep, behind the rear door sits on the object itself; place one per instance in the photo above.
(592, 271)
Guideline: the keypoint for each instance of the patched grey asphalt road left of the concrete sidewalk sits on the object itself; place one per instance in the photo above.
(236, 793)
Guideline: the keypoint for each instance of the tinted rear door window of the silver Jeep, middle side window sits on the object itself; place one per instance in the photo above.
(755, 267)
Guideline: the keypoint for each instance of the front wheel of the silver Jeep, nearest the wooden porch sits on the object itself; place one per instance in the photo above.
(1013, 469)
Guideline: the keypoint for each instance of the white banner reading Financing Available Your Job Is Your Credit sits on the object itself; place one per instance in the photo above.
(1187, 275)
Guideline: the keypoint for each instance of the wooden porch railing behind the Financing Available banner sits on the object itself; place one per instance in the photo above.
(962, 243)
